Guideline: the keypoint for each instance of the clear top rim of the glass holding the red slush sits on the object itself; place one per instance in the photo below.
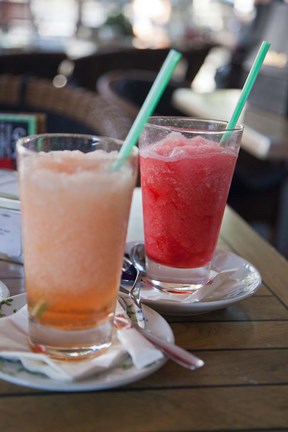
(187, 129)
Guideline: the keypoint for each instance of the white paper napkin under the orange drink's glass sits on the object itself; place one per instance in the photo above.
(14, 346)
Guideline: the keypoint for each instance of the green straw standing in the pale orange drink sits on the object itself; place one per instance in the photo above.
(149, 105)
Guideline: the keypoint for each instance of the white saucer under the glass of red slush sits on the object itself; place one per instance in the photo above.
(246, 280)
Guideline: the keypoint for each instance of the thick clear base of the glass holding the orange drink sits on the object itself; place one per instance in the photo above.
(70, 344)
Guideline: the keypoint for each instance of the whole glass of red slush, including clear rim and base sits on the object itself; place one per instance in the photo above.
(186, 168)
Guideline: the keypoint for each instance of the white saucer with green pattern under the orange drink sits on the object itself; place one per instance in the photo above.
(124, 374)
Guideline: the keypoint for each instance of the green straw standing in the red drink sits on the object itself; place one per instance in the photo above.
(250, 80)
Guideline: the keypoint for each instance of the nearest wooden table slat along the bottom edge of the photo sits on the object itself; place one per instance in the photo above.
(164, 410)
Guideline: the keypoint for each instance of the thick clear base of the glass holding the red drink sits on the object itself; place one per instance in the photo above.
(176, 280)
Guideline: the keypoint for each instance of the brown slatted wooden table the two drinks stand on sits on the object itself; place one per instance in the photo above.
(242, 387)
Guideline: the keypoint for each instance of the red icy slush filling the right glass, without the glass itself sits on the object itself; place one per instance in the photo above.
(185, 184)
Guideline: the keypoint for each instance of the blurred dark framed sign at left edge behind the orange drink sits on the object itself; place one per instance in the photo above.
(12, 127)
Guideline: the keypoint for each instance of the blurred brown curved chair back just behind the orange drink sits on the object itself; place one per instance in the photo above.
(66, 109)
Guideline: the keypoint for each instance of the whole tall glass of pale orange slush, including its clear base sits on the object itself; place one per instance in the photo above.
(75, 210)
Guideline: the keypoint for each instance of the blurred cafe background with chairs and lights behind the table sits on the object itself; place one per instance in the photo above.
(87, 65)
